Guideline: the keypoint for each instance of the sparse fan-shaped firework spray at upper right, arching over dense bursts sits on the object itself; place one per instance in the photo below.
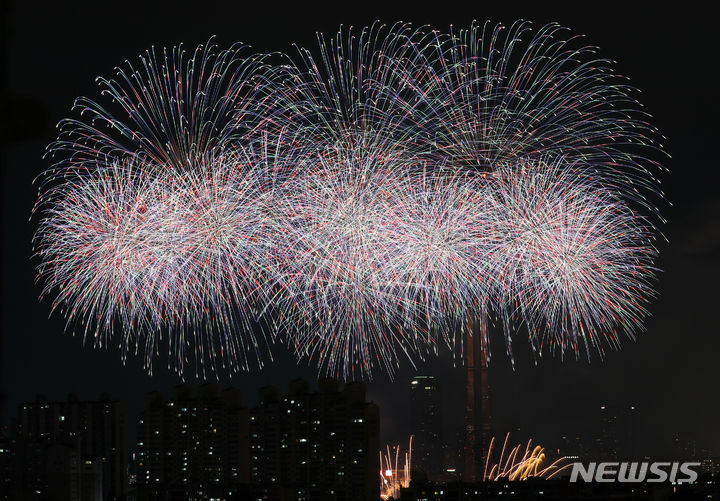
(494, 94)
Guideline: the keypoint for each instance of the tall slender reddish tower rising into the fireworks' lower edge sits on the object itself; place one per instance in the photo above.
(477, 401)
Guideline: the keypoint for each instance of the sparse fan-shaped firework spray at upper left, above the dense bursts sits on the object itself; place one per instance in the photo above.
(169, 107)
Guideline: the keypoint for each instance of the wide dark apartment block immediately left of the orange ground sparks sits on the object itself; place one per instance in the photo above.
(315, 445)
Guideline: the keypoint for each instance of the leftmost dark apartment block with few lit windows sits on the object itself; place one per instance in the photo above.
(72, 449)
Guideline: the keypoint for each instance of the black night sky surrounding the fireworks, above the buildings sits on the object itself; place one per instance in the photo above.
(671, 372)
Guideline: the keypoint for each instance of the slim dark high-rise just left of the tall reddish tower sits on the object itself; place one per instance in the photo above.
(426, 426)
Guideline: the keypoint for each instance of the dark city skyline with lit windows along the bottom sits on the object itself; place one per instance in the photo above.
(208, 439)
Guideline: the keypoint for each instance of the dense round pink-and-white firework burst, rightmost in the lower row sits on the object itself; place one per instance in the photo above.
(573, 262)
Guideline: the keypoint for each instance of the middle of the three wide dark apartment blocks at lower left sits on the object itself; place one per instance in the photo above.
(194, 445)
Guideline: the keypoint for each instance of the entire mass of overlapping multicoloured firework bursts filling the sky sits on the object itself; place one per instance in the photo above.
(360, 202)
